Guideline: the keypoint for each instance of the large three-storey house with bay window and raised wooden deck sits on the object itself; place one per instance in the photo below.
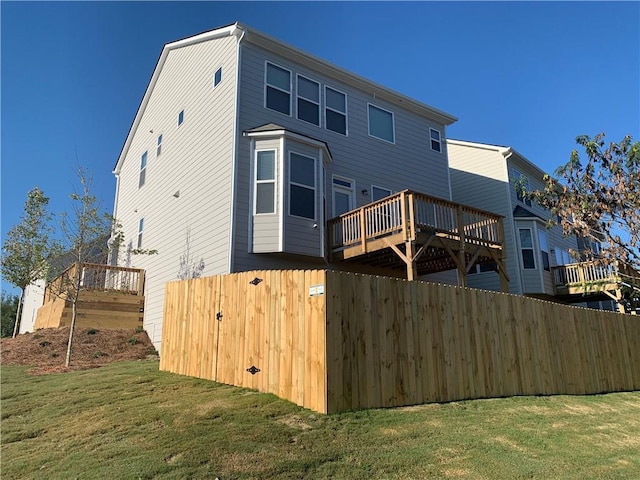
(248, 154)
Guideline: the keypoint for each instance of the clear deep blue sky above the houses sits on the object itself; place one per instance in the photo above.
(532, 75)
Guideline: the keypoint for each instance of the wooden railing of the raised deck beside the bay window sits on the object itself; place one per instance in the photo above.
(409, 213)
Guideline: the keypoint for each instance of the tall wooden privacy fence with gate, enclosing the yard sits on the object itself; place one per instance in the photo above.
(333, 341)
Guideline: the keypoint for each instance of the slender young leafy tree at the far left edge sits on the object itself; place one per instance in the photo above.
(28, 247)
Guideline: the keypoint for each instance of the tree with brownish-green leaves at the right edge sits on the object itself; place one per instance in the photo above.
(598, 197)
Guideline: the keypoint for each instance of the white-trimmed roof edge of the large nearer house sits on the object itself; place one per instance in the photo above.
(245, 33)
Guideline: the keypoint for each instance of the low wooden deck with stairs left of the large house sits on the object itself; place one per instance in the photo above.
(110, 297)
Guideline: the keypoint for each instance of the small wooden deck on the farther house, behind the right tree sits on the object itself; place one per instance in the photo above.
(579, 281)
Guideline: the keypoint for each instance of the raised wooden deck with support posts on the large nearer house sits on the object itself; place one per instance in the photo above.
(421, 233)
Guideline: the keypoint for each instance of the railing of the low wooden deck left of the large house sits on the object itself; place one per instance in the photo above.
(97, 277)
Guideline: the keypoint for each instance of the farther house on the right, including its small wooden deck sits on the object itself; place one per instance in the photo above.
(537, 256)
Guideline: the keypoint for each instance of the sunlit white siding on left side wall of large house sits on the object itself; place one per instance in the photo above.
(197, 162)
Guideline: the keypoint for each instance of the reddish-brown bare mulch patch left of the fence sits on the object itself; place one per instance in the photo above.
(45, 350)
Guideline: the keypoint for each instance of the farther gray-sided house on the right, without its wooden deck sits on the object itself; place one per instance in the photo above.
(485, 176)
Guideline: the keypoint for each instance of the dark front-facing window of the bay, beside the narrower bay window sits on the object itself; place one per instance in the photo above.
(302, 186)
